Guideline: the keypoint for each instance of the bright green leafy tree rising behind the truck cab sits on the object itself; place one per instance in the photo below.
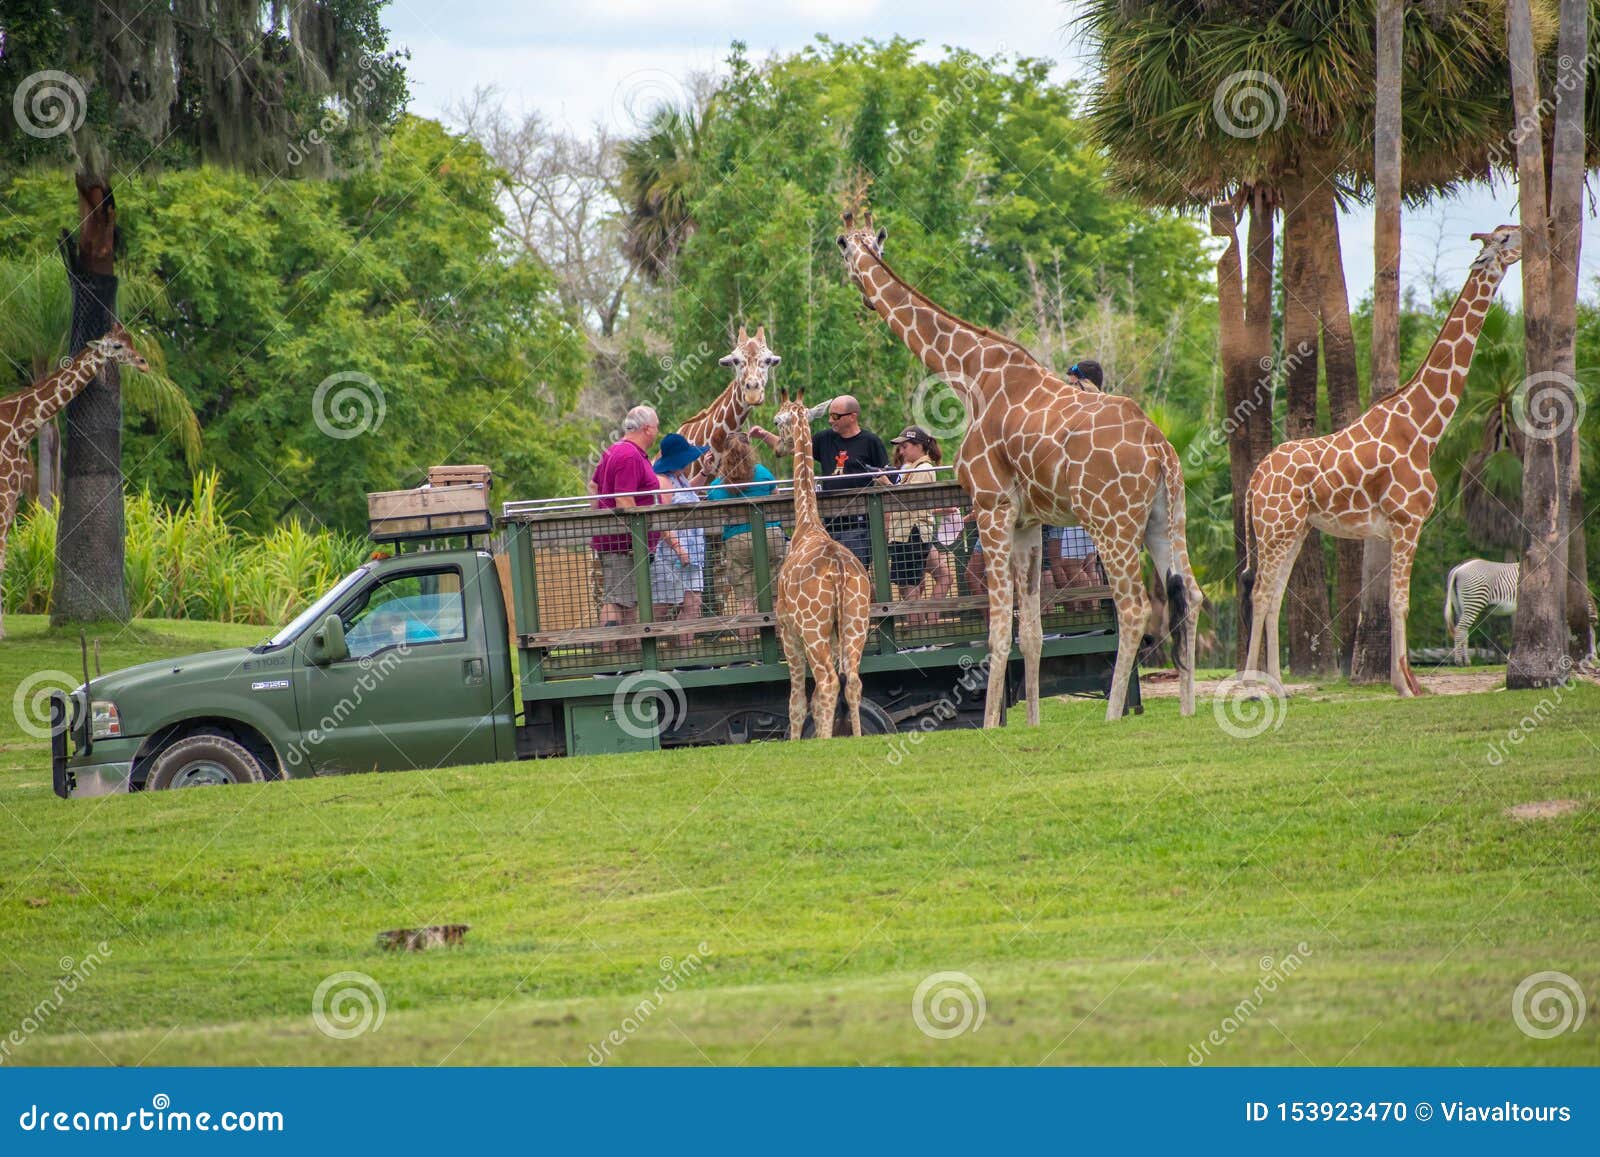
(343, 335)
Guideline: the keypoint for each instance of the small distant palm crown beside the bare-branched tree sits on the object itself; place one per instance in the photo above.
(658, 183)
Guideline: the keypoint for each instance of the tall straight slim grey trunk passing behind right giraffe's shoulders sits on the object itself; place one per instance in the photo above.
(1370, 659)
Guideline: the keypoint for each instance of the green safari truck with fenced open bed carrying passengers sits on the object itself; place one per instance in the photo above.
(450, 652)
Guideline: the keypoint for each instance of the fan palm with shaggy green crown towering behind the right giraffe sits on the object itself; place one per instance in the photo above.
(1201, 102)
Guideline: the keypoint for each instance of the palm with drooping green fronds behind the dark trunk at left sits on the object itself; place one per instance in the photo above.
(34, 329)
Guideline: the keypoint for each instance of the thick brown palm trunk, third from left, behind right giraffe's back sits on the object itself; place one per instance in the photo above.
(1310, 628)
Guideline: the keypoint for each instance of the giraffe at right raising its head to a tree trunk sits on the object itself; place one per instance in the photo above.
(1369, 481)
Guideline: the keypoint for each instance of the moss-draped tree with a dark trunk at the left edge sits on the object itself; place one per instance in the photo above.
(122, 86)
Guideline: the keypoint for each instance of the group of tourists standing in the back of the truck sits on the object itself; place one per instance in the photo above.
(921, 542)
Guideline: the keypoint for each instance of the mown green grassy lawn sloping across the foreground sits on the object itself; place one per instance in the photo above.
(1118, 894)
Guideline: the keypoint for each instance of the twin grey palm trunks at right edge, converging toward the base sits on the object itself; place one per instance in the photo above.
(1538, 657)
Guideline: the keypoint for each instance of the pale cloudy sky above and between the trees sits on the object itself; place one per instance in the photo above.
(614, 60)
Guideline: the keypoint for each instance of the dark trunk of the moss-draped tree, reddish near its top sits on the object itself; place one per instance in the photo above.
(90, 538)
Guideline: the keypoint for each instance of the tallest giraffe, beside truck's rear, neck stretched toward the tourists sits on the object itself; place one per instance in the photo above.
(1039, 450)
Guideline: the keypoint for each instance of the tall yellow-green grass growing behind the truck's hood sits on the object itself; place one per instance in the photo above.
(190, 562)
